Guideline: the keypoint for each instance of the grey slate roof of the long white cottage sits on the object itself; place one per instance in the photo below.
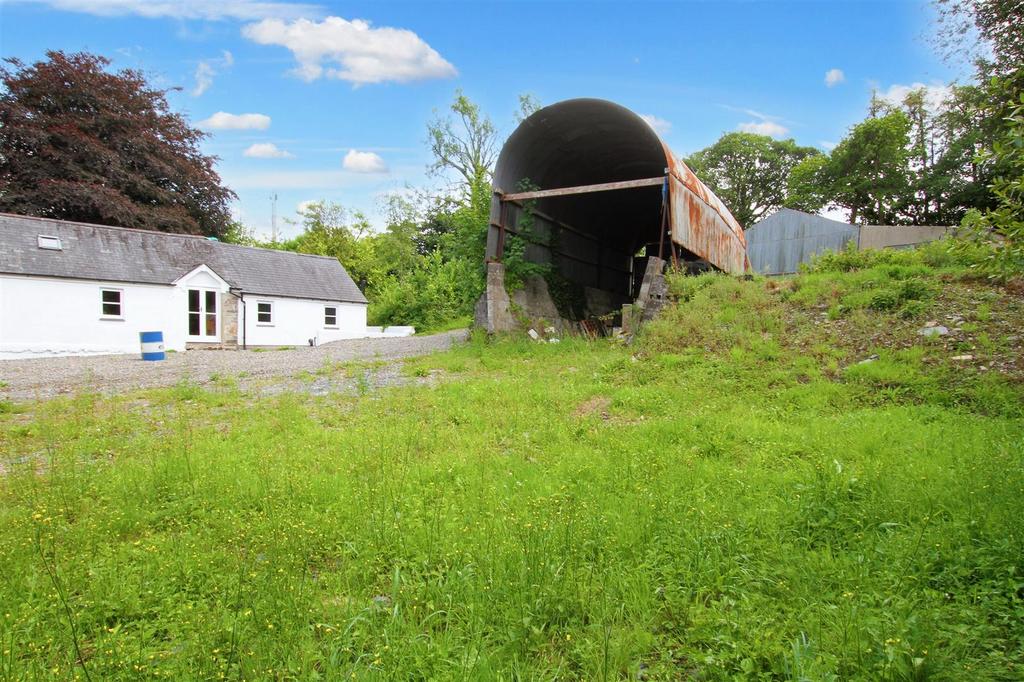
(119, 254)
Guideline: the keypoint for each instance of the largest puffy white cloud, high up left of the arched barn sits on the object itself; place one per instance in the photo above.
(353, 52)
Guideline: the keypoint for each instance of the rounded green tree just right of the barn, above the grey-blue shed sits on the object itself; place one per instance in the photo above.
(749, 173)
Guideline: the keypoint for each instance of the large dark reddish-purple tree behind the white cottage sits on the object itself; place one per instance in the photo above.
(79, 143)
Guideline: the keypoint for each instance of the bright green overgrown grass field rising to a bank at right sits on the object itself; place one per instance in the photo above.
(733, 497)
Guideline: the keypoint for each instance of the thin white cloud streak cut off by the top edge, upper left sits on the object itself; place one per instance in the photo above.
(247, 11)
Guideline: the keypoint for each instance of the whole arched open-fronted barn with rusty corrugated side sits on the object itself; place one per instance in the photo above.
(593, 193)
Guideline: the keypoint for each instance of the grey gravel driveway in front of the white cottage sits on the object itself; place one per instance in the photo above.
(42, 378)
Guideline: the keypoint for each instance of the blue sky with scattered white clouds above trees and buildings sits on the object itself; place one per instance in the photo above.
(343, 93)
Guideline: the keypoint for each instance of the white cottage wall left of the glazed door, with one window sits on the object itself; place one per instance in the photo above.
(42, 317)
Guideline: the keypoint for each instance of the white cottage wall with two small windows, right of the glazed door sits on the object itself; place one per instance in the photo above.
(294, 322)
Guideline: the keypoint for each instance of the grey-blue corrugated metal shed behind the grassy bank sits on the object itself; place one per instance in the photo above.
(782, 242)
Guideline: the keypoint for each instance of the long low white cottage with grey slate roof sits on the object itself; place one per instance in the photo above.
(78, 289)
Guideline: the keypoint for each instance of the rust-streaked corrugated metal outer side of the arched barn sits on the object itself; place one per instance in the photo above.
(701, 223)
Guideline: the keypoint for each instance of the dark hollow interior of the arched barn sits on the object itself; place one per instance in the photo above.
(596, 234)
